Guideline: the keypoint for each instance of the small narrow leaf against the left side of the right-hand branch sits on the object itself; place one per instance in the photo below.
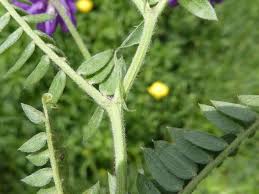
(134, 37)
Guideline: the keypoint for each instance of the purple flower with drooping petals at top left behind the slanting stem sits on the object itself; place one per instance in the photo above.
(44, 6)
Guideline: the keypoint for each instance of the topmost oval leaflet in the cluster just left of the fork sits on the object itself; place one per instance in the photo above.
(95, 63)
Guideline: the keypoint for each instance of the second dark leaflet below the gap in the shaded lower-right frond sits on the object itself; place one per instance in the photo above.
(191, 151)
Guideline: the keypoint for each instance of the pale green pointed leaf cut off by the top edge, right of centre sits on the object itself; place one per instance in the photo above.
(200, 8)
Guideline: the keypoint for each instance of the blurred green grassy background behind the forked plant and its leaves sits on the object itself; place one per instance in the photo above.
(199, 60)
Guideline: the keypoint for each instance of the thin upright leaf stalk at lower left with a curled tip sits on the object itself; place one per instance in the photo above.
(52, 157)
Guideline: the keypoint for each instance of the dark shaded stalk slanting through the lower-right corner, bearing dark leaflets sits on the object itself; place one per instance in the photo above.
(220, 158)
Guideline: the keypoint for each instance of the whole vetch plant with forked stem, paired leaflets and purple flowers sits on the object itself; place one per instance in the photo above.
(175, 166)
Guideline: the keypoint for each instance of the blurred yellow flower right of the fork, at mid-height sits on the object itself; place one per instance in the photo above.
(158, 90)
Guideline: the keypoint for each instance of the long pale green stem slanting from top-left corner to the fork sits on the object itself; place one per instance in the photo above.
(83, 84)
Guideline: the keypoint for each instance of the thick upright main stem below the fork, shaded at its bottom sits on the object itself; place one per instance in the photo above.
(115, 113)
